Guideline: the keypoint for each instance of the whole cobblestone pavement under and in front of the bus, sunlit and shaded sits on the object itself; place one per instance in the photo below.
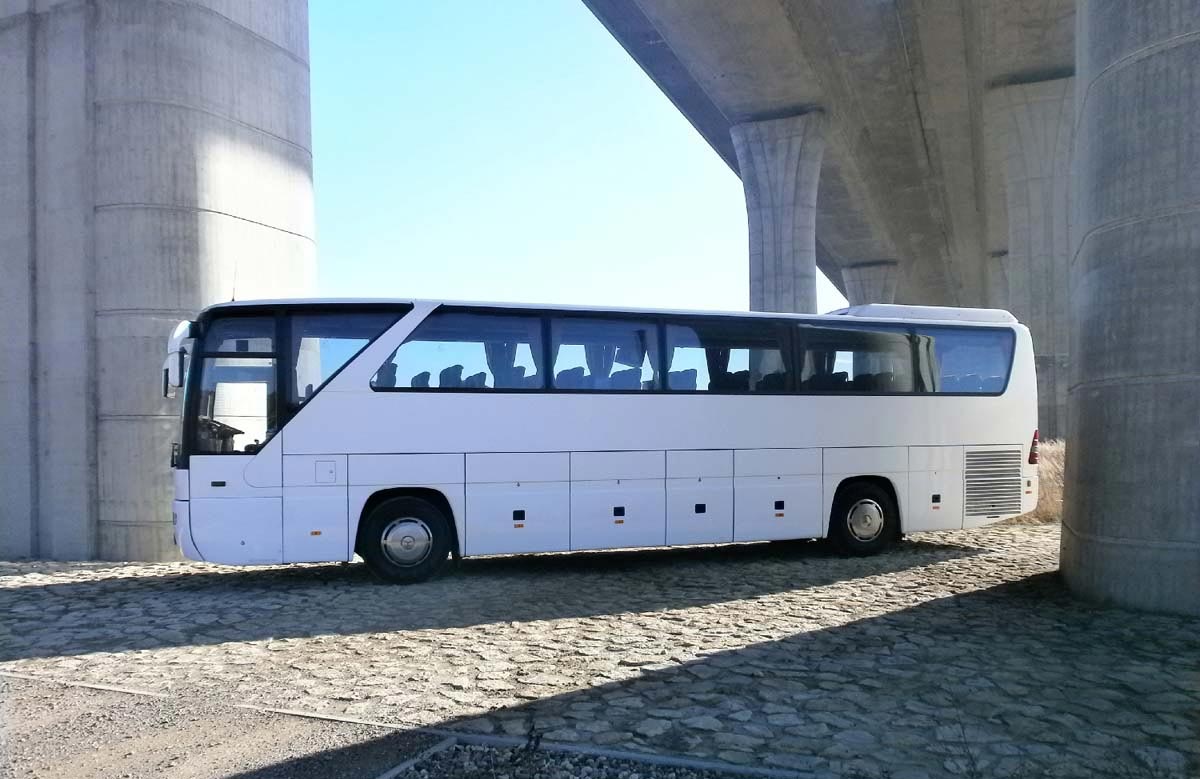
(953, 655)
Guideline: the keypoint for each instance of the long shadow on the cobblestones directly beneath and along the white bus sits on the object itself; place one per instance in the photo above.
(137, 612)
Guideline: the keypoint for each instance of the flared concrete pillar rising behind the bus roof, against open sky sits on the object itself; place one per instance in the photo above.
(781, 165)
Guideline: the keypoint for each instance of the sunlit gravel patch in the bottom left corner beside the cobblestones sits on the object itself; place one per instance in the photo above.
(53, 730)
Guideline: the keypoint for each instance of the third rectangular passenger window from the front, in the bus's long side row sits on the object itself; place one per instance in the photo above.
(728, 356)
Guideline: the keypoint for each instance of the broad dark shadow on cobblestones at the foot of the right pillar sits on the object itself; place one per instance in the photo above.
(1018, 680)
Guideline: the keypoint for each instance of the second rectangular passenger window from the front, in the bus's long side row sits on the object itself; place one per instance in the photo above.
(604, 355)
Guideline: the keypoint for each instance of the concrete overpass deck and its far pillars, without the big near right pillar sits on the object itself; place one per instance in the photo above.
(939, 161)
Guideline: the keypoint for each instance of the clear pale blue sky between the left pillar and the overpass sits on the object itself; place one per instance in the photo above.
(512, 151)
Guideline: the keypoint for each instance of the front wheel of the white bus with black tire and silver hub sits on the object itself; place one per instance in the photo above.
(406, 541)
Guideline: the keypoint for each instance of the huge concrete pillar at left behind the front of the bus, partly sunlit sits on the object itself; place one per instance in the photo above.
(154, 158)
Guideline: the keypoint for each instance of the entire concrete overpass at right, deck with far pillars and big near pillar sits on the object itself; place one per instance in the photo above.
(943, 153)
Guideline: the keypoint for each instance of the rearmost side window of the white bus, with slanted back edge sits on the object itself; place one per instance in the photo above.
(974, 361)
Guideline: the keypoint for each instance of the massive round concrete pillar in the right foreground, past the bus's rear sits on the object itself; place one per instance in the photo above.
(1132, 526)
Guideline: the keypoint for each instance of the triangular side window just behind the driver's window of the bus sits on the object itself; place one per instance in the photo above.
(323, 343)
